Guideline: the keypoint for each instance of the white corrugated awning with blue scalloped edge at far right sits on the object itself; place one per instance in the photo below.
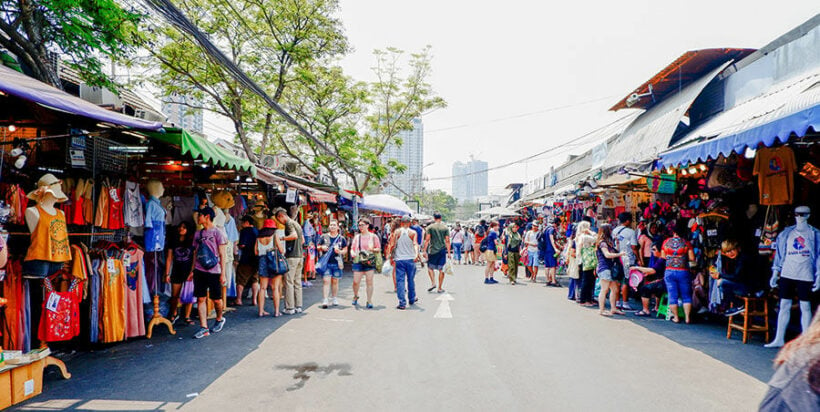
(788, 107)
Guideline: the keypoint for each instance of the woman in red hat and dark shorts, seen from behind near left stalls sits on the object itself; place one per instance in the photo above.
(269, 239)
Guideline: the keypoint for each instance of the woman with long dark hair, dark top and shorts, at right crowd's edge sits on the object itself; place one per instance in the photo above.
(608, 273)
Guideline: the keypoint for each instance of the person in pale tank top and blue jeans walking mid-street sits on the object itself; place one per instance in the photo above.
(404, 252)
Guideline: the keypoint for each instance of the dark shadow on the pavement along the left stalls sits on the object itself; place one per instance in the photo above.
(166, 371)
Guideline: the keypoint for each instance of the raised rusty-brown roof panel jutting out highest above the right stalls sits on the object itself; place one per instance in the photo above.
(686, 69)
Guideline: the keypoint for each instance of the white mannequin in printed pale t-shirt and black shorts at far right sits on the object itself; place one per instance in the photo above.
(796, 269)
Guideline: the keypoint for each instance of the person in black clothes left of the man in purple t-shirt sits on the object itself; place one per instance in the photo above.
(178, 266)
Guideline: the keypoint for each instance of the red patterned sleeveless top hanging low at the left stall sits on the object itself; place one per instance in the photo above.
(60, 318)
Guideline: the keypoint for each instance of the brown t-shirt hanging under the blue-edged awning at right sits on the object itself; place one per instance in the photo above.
(775, 170)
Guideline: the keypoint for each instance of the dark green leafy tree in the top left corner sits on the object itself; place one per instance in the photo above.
(83, 31)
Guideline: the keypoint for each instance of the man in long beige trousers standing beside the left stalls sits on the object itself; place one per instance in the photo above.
(294, 241)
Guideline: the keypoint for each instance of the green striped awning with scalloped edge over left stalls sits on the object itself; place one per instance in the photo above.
(201, 148)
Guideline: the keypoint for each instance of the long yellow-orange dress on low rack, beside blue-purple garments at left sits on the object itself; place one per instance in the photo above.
(113, 300)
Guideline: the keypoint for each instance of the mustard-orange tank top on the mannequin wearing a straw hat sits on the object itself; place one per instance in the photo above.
(49, 241)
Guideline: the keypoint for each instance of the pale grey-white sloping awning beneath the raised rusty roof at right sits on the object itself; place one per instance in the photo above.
(651, 133)
